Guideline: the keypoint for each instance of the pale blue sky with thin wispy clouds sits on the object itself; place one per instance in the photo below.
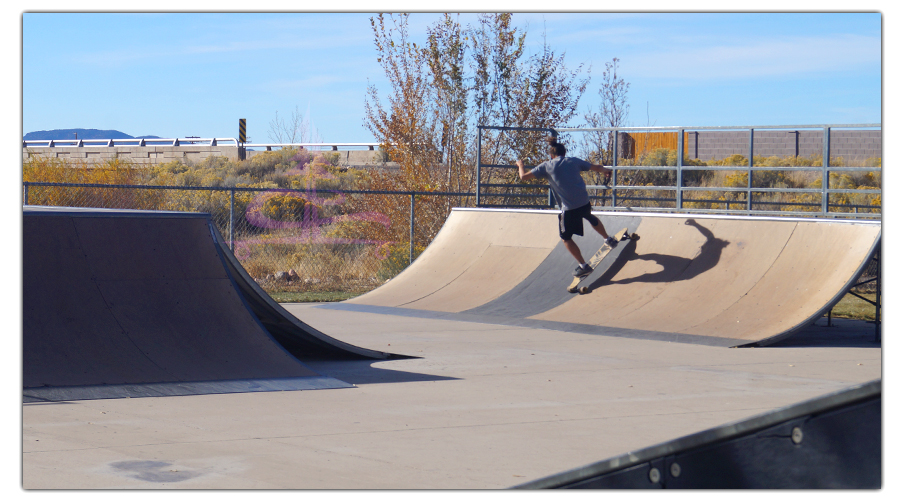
(183, 74)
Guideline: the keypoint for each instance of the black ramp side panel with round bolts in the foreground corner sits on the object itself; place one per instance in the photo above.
(829, 442)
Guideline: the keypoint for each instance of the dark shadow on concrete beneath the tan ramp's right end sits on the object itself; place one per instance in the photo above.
(842, 333)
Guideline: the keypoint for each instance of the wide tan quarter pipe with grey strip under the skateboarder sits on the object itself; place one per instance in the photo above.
(713, 280)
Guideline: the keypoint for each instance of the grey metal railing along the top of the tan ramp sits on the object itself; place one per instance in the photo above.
(612, 196)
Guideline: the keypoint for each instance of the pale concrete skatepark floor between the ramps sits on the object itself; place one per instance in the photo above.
(481, 406)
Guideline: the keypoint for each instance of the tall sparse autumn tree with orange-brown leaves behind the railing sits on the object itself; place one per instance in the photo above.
(463, 77)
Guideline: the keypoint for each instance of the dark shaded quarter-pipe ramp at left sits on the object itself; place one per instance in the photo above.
(130, 303)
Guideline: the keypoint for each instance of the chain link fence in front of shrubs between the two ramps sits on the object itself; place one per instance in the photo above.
(288, 240)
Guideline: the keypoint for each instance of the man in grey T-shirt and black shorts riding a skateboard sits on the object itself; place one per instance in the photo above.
(564, 175)
